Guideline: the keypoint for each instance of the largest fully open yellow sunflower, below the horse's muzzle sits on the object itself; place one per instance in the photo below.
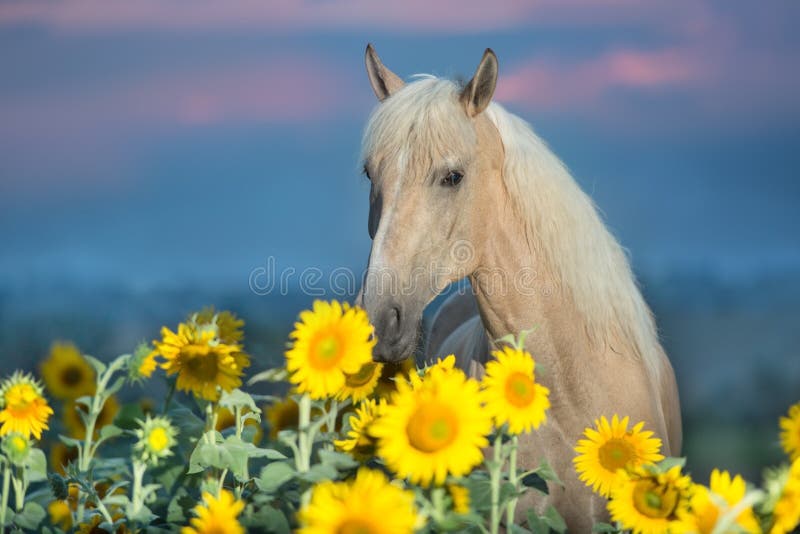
(433, 427)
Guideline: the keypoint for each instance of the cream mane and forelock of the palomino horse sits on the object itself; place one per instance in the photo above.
(564, 227)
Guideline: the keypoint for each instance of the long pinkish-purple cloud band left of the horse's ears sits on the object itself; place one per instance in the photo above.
(96, 123)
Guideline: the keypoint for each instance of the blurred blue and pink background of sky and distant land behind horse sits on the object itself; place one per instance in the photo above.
(156, 157)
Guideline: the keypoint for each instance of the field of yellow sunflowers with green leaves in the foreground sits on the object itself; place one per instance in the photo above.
(353, 447)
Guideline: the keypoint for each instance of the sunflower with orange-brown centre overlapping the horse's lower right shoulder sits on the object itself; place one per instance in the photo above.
(612, 447)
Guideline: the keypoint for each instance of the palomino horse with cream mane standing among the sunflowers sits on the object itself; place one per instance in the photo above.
(460, 188)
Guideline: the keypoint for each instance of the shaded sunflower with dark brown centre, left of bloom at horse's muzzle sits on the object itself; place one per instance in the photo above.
(202, 358)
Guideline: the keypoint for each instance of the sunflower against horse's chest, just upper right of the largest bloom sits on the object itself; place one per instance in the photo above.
(511, 394)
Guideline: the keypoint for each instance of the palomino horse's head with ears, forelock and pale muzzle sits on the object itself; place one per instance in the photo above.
(430, 156)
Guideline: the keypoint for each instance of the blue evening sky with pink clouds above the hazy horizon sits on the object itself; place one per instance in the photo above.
(162, 143)
